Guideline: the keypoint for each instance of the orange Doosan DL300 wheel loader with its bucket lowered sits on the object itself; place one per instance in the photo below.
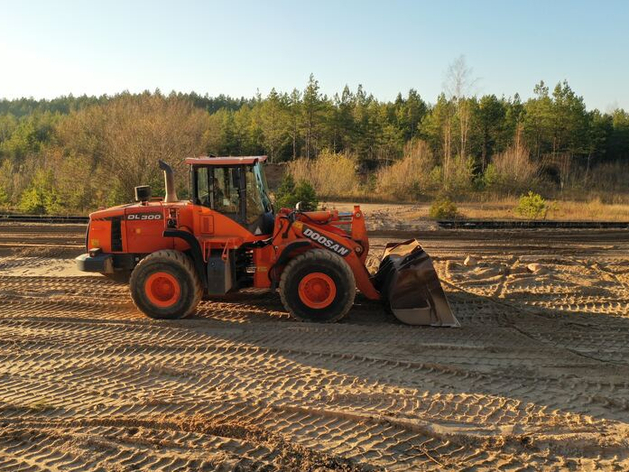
(228, 237)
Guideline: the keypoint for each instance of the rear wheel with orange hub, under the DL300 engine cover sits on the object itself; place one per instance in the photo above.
(165, 285)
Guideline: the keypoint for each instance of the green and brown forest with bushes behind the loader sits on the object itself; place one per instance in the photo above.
(73, 154)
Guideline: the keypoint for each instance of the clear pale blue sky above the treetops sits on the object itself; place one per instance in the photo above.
(51, 48)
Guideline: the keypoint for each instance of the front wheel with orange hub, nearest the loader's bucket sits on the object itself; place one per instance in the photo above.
(317, 286)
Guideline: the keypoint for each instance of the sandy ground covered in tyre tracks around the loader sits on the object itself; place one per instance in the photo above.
(536, 378)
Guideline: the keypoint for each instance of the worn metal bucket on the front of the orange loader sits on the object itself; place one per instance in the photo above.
(408, 281)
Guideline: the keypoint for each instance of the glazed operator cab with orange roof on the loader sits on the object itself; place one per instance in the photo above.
(235, 187)
